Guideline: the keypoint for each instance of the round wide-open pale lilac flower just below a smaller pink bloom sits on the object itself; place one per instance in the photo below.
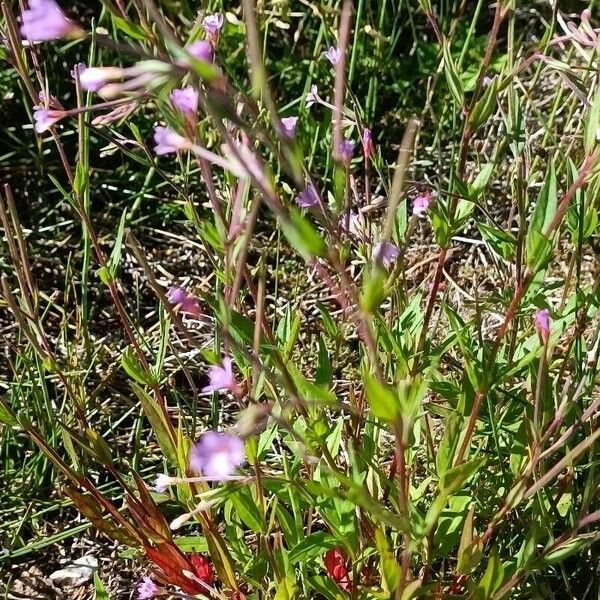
(217, 455)
